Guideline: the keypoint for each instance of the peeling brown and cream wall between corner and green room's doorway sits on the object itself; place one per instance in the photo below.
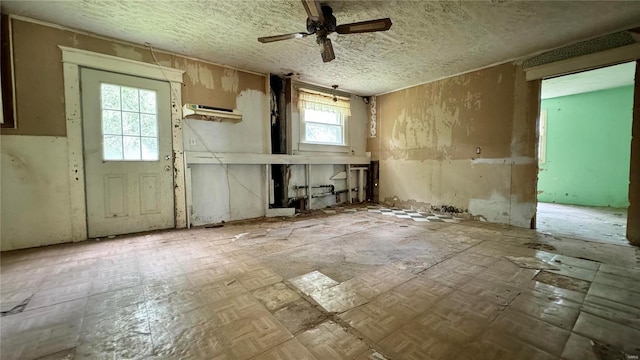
(428, 138)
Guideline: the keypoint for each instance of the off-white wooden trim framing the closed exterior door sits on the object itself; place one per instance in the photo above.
(72, 60)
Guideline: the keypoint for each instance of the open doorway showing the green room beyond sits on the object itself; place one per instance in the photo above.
(584, 154)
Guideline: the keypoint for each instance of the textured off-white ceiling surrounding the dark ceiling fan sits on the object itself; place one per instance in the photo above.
(428, 40)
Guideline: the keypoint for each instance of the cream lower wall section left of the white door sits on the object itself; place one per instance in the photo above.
(35, 189)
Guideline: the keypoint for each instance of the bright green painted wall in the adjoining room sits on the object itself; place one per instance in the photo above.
(588, 148)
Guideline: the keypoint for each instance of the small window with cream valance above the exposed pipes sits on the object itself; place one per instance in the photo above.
(323, 118)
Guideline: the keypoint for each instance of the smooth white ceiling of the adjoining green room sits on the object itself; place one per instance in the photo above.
(599, 79)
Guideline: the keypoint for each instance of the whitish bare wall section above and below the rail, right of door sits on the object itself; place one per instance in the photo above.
(221, 193)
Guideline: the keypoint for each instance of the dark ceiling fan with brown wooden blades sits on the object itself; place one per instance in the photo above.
(320, 21)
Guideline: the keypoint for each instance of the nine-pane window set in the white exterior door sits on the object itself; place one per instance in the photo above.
(129, 123)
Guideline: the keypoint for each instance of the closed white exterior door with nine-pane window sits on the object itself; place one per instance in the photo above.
(127, 153)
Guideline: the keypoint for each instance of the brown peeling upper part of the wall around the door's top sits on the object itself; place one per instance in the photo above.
(38, 76)
